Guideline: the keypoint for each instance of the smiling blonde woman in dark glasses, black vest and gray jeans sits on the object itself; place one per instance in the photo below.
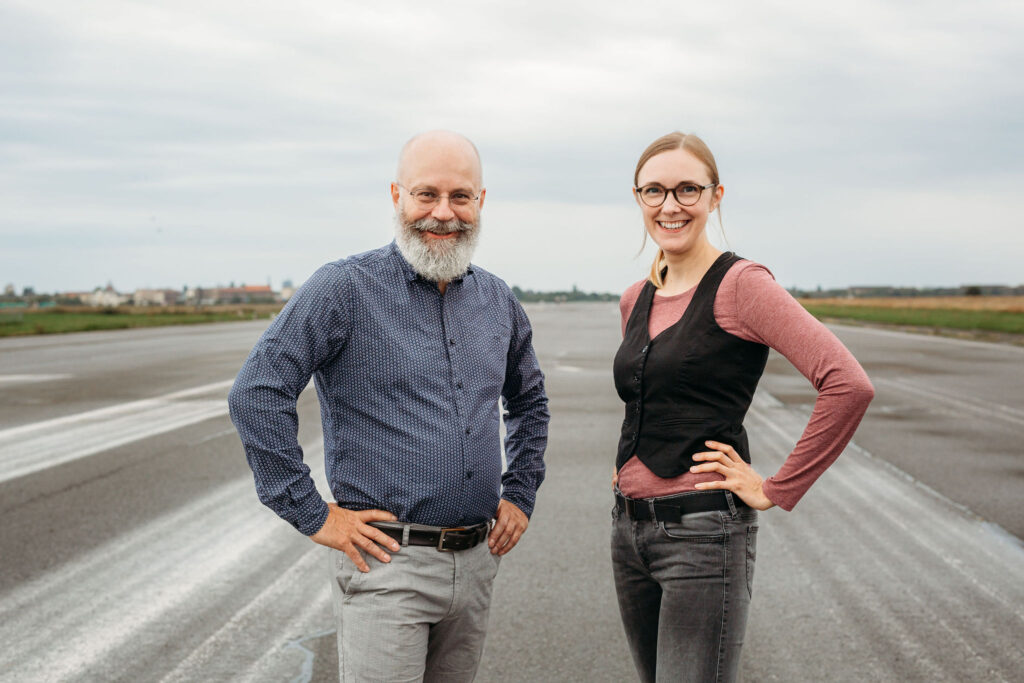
(696, 338)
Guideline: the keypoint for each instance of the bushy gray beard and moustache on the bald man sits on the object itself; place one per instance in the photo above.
(437, 261)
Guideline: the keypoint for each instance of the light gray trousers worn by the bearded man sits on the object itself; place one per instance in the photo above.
(422, 617)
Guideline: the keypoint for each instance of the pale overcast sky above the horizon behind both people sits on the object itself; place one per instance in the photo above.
(159, 145)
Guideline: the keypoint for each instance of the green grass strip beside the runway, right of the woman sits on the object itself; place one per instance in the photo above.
(989, 321)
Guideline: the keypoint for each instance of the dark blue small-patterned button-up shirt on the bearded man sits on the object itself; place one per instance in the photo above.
(409, 385)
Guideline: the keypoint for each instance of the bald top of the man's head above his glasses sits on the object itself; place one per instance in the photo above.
(436, 152)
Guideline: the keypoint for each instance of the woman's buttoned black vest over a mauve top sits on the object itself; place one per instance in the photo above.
(691, 385)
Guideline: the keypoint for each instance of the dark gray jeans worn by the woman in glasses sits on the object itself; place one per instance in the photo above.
(685, 592)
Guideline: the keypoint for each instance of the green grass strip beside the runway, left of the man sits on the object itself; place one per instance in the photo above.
(58, 322)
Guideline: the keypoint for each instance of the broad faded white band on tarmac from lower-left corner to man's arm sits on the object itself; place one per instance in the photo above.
(120, 596)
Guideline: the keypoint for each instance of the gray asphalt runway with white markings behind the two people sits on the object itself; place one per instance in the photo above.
(134, 547)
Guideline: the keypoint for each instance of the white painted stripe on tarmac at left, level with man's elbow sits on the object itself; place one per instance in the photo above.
(33, 448)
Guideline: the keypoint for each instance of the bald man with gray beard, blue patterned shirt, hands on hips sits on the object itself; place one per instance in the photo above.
(411, 349)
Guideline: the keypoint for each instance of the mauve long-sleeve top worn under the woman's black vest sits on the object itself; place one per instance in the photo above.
(752, 306)
